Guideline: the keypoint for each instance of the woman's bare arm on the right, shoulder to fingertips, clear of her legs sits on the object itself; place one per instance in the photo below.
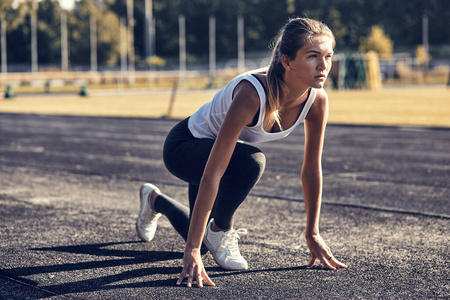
(311, 177)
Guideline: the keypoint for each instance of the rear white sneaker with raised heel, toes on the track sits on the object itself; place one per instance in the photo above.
(148, 218)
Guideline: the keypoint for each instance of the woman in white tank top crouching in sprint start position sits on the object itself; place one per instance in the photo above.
(209, 151)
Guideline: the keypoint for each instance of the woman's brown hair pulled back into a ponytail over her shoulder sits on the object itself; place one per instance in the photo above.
(294, 35)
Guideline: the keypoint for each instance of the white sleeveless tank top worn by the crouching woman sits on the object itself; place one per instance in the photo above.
(207, 120)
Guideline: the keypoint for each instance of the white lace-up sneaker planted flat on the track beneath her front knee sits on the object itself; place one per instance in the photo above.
(224, 247)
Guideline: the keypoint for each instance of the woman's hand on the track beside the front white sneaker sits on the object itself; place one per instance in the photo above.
(193, 267)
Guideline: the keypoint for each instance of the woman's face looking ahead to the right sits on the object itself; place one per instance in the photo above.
(312, 64)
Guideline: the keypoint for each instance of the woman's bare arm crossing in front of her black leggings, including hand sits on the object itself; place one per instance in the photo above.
(241, 112)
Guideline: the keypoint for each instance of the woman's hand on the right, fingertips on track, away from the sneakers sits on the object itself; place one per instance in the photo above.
(319, 250)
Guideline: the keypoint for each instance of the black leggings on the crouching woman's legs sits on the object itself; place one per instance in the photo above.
(185, 157)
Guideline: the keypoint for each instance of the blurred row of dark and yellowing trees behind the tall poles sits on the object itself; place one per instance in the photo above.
(350, 20)
